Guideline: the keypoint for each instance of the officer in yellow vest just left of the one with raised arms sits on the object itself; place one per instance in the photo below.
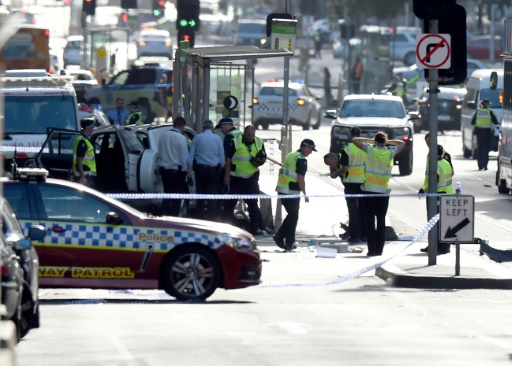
(349, 166)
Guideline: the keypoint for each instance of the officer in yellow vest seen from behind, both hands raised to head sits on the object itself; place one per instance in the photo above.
(381, 153)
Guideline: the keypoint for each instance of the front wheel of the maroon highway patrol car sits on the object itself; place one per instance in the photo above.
(191, 273)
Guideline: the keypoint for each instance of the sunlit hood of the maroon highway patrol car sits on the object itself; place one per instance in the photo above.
(196, 225)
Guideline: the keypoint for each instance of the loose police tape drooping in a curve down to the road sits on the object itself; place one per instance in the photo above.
(430, 224)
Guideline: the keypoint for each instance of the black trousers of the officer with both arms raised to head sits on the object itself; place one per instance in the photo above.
(375, 209)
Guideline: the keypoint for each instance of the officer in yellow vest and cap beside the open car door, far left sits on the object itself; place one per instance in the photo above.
(84, 159)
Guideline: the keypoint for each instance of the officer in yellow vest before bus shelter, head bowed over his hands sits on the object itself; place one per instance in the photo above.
(243, 159)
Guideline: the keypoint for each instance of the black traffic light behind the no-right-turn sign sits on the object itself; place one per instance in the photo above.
(455, 26)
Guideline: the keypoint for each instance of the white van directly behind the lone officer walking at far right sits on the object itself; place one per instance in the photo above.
(478, 88)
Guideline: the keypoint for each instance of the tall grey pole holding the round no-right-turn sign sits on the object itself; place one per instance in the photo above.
(432, 157)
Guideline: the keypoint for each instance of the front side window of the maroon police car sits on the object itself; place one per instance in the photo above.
(63, 203)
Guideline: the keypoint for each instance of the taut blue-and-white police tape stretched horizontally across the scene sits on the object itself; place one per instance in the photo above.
(152, 196)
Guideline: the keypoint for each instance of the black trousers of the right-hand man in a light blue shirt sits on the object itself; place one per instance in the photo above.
(207, 182)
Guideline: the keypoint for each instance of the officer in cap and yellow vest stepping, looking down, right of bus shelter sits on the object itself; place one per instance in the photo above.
(291, 181)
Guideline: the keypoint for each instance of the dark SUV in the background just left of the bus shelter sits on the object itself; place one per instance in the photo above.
(136, 84)
